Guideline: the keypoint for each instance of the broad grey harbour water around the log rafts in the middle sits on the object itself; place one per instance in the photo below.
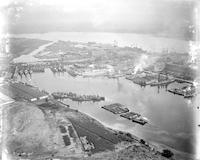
(170, 116)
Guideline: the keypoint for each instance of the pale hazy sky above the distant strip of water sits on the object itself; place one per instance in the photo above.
(160, 17)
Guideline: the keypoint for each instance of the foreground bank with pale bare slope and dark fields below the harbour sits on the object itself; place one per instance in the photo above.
(64, 133)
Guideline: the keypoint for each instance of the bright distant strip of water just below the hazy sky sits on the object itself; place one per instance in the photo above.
(147, 42)
